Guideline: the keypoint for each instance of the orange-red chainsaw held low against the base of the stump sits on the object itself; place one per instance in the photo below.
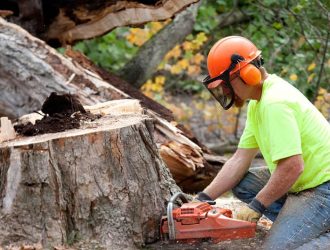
(202, 220)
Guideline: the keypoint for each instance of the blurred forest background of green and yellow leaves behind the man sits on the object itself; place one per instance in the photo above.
(293, 37)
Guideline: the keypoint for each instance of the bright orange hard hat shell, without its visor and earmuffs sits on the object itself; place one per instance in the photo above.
(219, 57)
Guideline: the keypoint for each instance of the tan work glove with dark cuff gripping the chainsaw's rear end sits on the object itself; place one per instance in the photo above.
(251, 212)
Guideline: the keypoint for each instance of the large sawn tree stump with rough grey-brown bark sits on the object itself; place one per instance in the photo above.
(104, 182)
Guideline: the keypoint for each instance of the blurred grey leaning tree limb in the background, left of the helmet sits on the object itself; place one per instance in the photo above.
(142, 66)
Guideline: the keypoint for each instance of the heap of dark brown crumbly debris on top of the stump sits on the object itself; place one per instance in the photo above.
(62, 112)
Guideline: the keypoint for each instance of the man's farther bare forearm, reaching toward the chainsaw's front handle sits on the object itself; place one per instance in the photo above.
(231, 173)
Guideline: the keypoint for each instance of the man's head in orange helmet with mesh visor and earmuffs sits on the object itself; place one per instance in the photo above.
(232, 59)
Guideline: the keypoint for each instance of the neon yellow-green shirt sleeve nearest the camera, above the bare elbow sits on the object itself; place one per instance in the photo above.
(283, 130)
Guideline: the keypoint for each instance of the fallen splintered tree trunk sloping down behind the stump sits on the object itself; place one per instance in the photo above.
(42, 70)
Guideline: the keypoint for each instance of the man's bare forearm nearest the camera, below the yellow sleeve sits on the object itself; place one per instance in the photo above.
(285, 175)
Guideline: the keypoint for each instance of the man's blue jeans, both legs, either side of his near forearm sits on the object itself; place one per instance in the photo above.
(301, 220)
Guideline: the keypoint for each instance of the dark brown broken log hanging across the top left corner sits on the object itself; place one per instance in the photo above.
(68, 21)
